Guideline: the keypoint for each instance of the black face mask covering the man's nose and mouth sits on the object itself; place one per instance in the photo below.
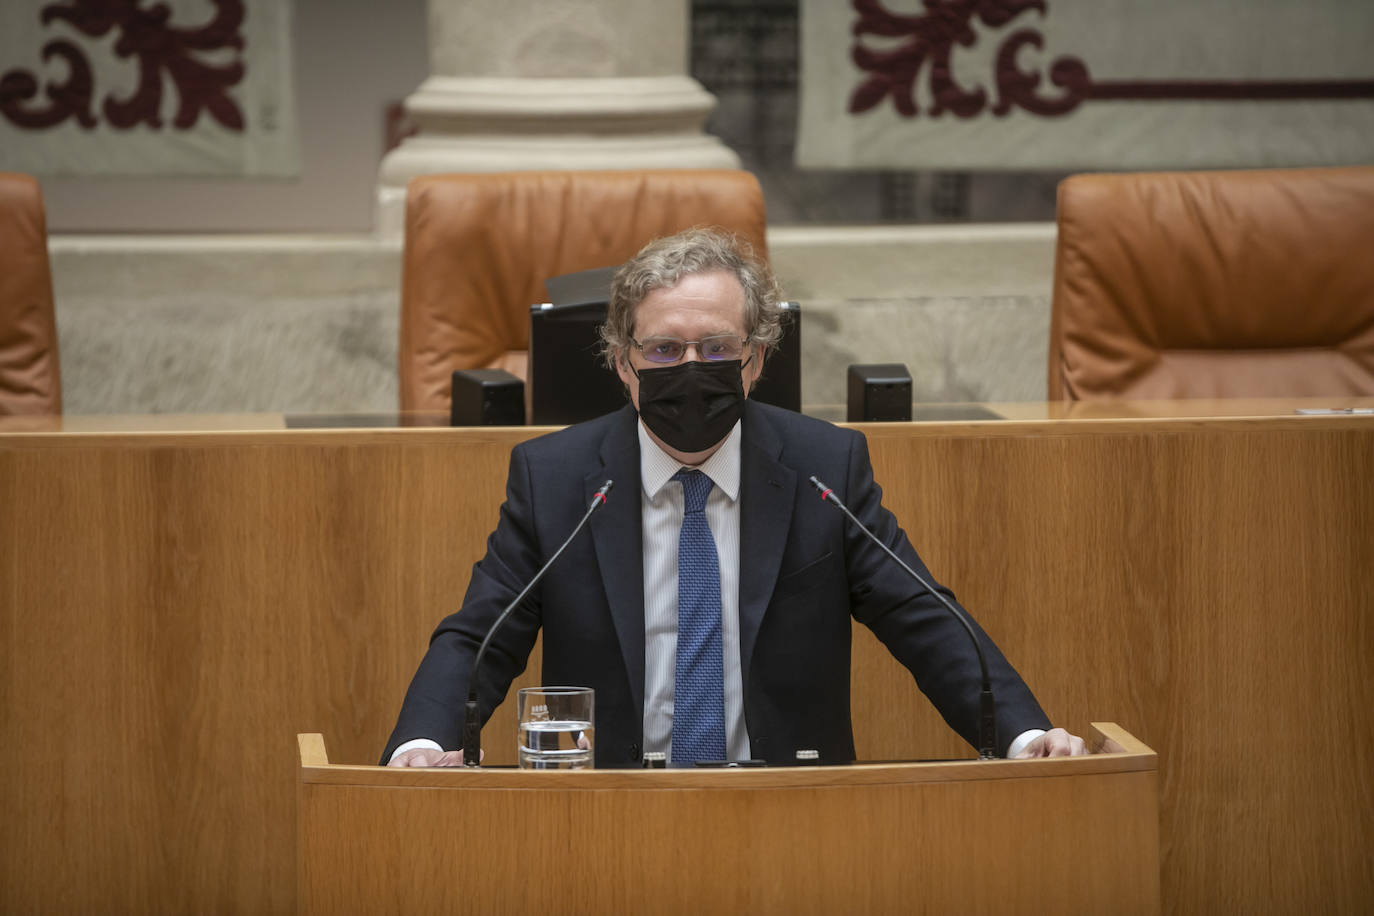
(692, 406)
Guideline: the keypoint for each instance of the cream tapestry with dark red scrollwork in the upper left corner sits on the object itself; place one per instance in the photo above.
(161, 87)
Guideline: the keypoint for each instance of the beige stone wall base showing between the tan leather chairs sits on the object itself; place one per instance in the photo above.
(308, 323)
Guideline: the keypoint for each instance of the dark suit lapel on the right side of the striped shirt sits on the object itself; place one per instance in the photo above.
(766, 494)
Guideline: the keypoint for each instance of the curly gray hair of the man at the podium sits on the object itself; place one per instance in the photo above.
(664, 263)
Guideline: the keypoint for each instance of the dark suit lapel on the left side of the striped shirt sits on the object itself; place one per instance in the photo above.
(619, 542)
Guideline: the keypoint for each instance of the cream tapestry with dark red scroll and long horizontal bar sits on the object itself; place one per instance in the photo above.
(1086, 84)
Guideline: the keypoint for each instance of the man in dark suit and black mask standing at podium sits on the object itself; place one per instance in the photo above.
(710, 605)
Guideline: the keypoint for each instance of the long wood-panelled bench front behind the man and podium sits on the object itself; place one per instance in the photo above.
(178, 608)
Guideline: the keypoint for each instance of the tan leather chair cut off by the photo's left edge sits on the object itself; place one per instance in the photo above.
(31, 381)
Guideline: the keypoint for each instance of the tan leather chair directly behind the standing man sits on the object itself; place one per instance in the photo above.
(479, 249)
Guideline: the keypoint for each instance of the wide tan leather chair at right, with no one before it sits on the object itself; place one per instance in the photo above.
(1215, 285)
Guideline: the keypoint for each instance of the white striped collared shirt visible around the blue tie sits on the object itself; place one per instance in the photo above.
(663, 517)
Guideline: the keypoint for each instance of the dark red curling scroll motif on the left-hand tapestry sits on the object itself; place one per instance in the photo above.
(159, 47)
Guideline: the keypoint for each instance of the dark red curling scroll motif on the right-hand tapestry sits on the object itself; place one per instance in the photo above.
(931, 42)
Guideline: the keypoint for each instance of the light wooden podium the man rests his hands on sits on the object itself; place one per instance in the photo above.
(1053, 836)
